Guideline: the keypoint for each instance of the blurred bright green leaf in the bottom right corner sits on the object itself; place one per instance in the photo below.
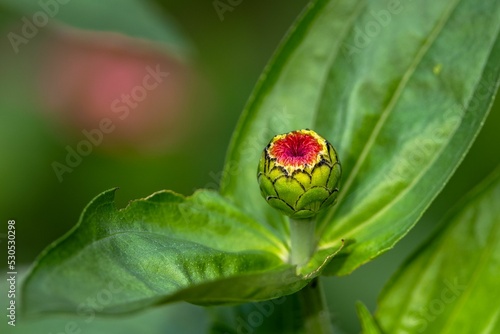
(450, 285)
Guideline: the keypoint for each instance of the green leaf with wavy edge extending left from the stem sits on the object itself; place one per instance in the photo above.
(160, 249)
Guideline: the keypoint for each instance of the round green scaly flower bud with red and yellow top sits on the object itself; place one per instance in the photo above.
(299, 173)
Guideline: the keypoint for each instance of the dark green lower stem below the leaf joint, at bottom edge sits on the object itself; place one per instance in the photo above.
(314, 308)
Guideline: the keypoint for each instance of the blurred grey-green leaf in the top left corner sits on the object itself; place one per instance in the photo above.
(130, 17)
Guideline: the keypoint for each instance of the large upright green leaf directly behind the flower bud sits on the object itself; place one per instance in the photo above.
(402, 111)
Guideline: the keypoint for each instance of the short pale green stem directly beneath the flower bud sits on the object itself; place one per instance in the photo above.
(302, 234)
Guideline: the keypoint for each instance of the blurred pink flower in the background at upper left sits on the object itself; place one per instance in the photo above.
(89, 76)
